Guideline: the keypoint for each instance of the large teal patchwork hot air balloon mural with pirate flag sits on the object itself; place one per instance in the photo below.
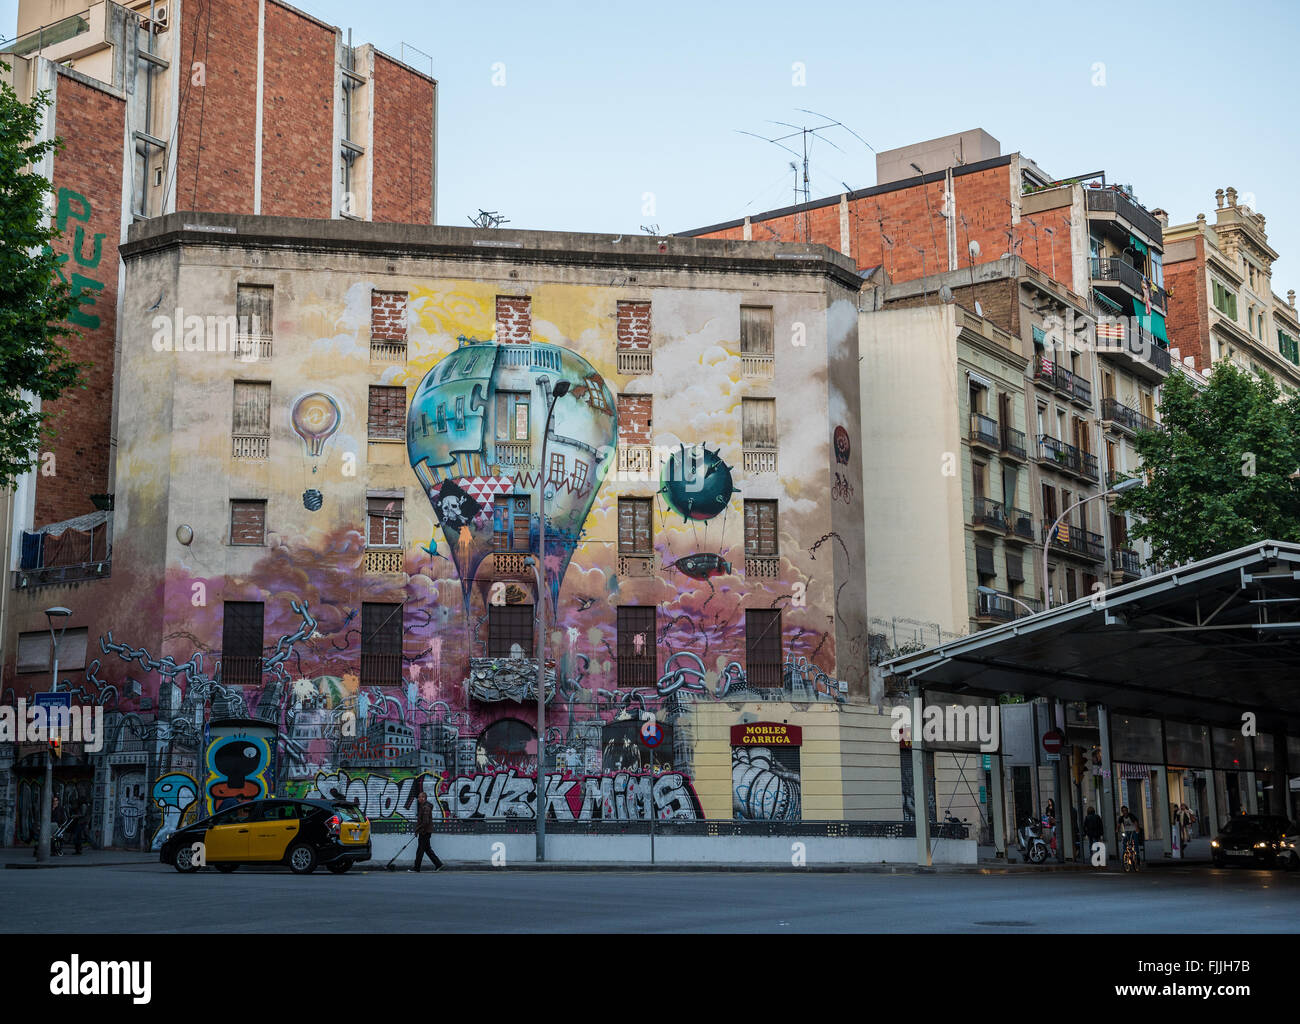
(475, 442)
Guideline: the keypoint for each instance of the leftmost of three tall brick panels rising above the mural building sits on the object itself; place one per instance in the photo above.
(218, 120)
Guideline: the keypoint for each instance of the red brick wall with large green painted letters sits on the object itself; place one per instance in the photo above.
(88, 180)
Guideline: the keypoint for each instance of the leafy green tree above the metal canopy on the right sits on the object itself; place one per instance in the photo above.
(1217, 470)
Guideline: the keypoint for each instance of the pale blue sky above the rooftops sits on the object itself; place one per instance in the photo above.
(617, 116)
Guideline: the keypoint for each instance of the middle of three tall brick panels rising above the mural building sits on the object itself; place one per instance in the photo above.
(298, 116)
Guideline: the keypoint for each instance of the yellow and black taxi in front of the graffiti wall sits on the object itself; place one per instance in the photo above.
(300, 834)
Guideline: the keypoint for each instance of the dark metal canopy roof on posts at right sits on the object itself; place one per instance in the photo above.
(1204, 644)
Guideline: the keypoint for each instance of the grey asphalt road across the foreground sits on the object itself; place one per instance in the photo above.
(151, 899)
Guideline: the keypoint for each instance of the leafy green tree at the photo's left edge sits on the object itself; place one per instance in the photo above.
(36, 302)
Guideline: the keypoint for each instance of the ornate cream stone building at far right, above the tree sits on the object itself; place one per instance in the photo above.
(1223, 305)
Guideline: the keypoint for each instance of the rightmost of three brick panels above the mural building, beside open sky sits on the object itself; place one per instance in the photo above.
(402, 157)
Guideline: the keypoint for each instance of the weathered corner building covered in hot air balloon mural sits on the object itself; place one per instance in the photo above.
(336, 524)
